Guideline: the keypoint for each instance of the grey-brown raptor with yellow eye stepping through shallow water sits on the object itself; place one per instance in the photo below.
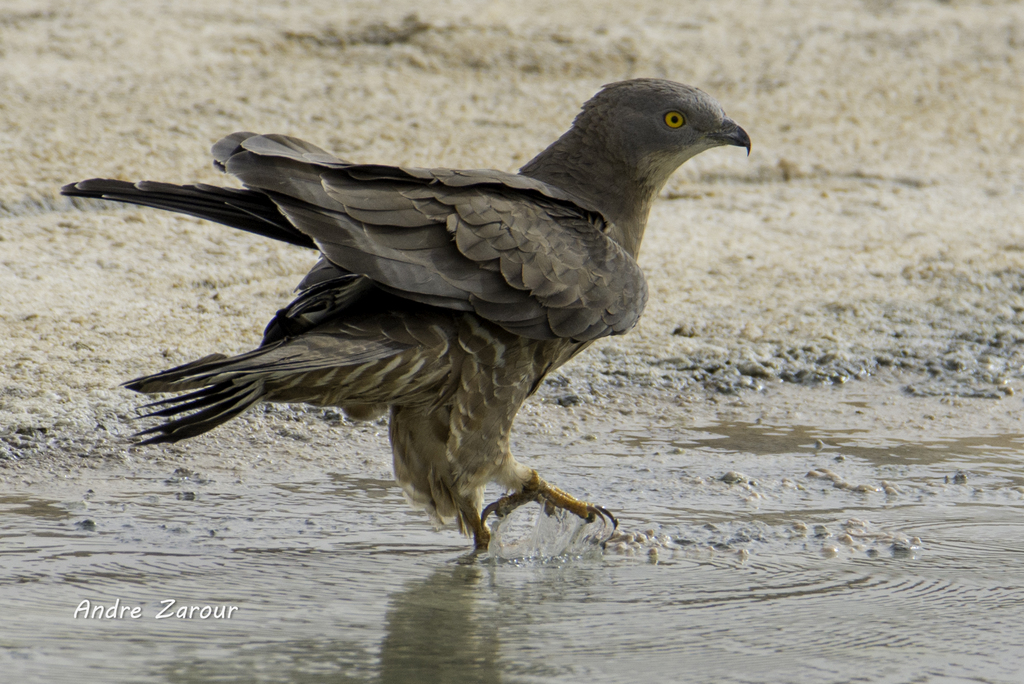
(441, 297)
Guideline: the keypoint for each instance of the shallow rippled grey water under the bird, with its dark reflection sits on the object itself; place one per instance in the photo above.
(892, 563)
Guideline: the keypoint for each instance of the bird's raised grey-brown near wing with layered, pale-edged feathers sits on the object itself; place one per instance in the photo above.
(517, 251)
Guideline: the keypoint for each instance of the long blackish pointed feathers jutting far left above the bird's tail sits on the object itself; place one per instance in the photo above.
(243, 209)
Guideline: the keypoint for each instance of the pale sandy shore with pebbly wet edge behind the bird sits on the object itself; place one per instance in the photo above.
(872, 244)
